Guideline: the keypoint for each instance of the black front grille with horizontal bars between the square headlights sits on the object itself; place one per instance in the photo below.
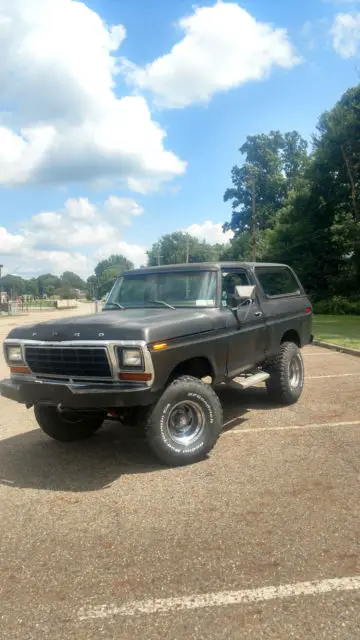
(80, 362)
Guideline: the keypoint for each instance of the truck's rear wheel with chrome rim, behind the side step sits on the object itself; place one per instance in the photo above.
(286, 371)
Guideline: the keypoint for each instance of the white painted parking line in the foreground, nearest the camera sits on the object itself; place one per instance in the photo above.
(221, 598)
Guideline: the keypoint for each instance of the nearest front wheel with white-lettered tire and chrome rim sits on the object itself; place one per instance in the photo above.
(185, 423)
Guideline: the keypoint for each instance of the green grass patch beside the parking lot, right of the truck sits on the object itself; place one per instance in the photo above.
(341, 330)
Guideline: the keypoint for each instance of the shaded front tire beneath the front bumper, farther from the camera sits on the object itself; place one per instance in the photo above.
(67, 427)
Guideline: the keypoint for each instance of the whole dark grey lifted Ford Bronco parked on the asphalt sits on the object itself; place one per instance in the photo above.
(166, 337)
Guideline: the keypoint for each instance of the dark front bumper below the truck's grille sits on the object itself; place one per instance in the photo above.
(76, 395)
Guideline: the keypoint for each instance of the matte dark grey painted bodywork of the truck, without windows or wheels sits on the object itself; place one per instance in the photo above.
(212, 338)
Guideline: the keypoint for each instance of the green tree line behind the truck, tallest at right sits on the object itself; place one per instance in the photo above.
(290, 202)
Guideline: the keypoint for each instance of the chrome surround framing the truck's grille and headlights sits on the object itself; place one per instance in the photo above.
(109, 345)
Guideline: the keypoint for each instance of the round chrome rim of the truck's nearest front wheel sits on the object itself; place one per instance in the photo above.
(185, 423)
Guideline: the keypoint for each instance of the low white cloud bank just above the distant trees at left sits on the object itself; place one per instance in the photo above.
(69, 239)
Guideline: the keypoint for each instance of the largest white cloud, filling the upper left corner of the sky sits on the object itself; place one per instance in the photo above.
(61, 120)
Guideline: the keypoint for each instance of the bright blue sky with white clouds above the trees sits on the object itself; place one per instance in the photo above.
(120, 120)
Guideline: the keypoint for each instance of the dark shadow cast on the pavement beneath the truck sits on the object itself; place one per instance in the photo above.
(32, 460)
